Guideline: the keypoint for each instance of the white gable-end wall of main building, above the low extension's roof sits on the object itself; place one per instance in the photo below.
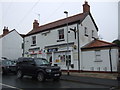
(90, 26)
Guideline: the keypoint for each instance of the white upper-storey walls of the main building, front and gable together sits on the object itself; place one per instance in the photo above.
(52, 37)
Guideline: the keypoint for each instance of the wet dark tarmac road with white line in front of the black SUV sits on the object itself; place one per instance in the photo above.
(11, 82)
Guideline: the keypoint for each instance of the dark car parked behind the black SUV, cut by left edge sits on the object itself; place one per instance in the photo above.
(8, 66)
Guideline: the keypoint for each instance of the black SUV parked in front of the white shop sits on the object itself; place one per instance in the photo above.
(38, 68)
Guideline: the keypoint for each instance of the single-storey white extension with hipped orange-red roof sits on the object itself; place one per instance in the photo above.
(99, 55)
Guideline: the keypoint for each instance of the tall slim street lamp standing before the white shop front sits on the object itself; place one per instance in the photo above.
(67, 43)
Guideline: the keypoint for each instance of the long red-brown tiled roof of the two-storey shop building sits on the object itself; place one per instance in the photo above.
(79, 17)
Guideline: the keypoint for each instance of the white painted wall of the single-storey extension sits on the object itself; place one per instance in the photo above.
(88, 60)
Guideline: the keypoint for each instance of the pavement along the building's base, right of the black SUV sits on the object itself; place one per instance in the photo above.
(105, 79)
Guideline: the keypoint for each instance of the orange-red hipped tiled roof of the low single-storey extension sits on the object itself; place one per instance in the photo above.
(98, 44)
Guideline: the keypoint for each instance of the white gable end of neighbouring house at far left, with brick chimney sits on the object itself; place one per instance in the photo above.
(11, 44)
